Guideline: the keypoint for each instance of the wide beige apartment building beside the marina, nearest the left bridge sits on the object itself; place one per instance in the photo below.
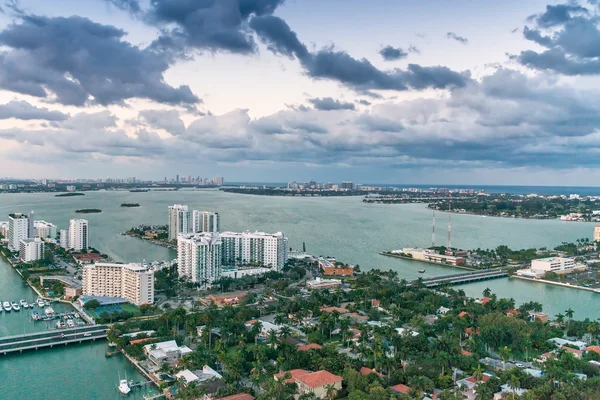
(129, 281)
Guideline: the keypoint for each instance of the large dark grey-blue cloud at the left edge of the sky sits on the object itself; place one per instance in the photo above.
(75, 61)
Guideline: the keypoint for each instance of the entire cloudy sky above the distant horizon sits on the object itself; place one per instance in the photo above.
(372, 91)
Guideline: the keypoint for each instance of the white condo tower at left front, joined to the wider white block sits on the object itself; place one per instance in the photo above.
(199, 257)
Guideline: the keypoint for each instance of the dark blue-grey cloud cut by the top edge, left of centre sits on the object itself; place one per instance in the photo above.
(215, 25)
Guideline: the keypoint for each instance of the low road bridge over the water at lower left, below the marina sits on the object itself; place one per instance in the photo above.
(53, 338)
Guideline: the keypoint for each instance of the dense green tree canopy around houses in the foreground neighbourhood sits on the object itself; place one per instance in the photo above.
(427, 361)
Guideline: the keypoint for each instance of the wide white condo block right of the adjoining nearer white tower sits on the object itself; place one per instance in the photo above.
(257, 248)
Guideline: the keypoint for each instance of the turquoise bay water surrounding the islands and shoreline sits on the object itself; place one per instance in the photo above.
(342, 227)
